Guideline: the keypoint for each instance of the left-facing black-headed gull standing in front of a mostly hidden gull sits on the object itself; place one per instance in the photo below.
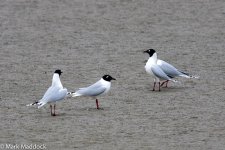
(154, 69)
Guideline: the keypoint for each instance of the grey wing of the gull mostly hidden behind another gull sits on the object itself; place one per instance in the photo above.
(168, 69)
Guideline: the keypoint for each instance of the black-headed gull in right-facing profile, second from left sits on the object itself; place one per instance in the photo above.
(100, 87)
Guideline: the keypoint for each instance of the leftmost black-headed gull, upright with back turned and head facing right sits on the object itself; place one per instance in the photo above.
(55, 92)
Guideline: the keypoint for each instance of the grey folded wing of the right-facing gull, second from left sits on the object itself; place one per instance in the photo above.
(93, 90)
